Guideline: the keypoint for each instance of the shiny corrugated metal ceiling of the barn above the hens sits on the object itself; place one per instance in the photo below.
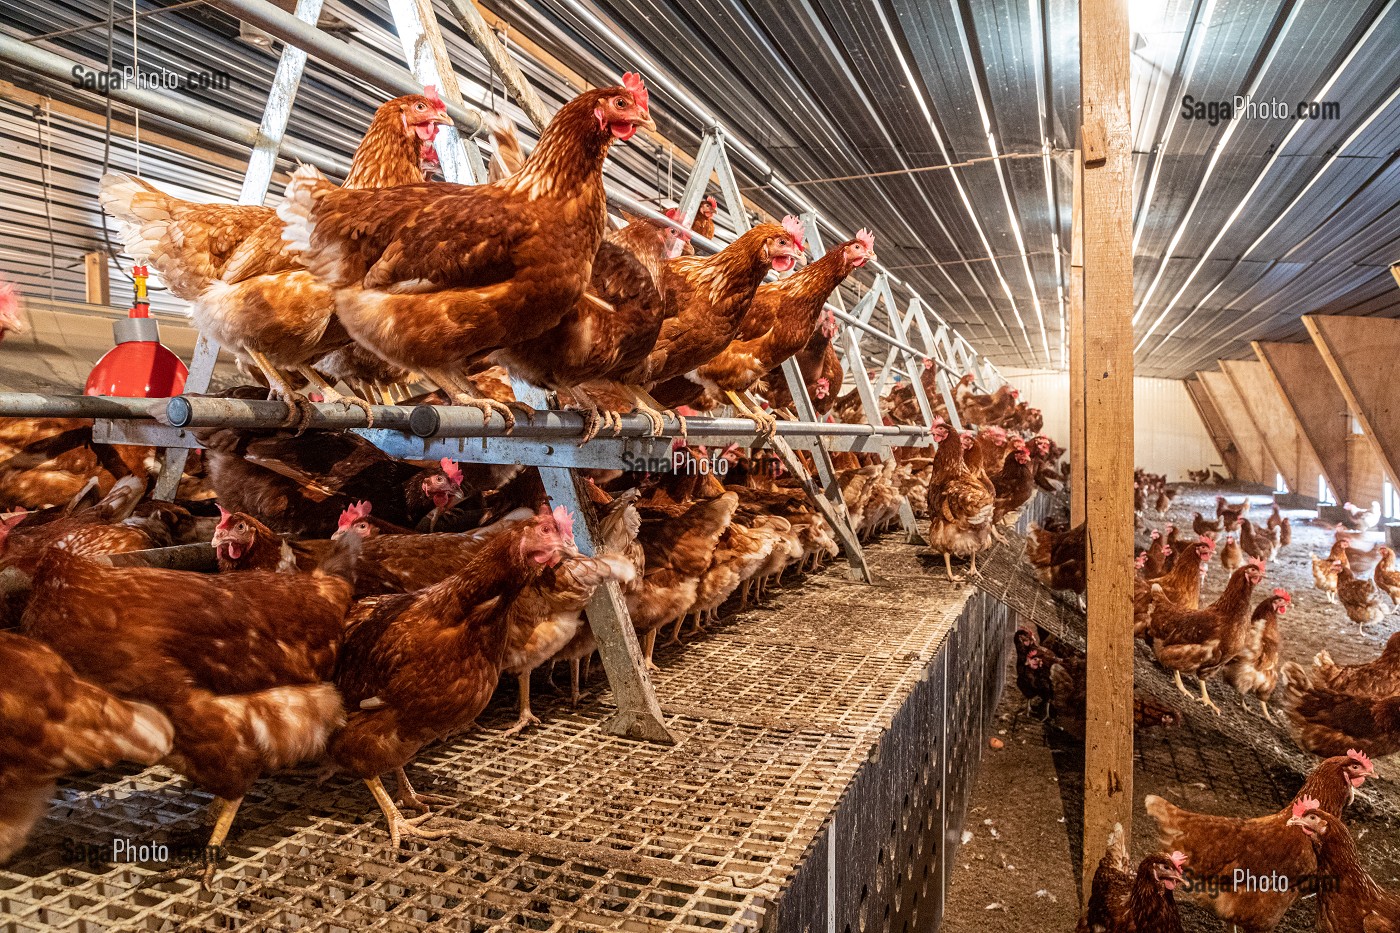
(946, 127)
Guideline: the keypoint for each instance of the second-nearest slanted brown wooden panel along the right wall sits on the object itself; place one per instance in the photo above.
(1318, 407)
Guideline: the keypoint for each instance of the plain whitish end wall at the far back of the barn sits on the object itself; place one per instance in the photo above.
(1170, 438)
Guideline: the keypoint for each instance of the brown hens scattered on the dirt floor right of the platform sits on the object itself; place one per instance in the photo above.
(1346, 715)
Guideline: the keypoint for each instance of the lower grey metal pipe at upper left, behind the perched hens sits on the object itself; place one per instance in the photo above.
(220, 124)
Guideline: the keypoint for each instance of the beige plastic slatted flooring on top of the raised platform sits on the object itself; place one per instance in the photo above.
(775, 712)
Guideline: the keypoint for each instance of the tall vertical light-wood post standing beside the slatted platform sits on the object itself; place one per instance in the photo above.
(1108, 420)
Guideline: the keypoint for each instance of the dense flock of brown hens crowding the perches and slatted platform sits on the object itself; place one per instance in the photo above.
(367, 607)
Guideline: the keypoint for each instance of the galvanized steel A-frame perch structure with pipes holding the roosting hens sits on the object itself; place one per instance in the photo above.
(435, 432)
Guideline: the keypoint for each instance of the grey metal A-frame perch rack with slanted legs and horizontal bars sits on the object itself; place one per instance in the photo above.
(426, 55)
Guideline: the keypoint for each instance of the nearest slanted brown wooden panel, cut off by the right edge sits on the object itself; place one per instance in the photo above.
(1361, 355)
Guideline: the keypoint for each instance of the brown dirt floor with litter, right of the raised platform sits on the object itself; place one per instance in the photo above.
(1018, 869)
